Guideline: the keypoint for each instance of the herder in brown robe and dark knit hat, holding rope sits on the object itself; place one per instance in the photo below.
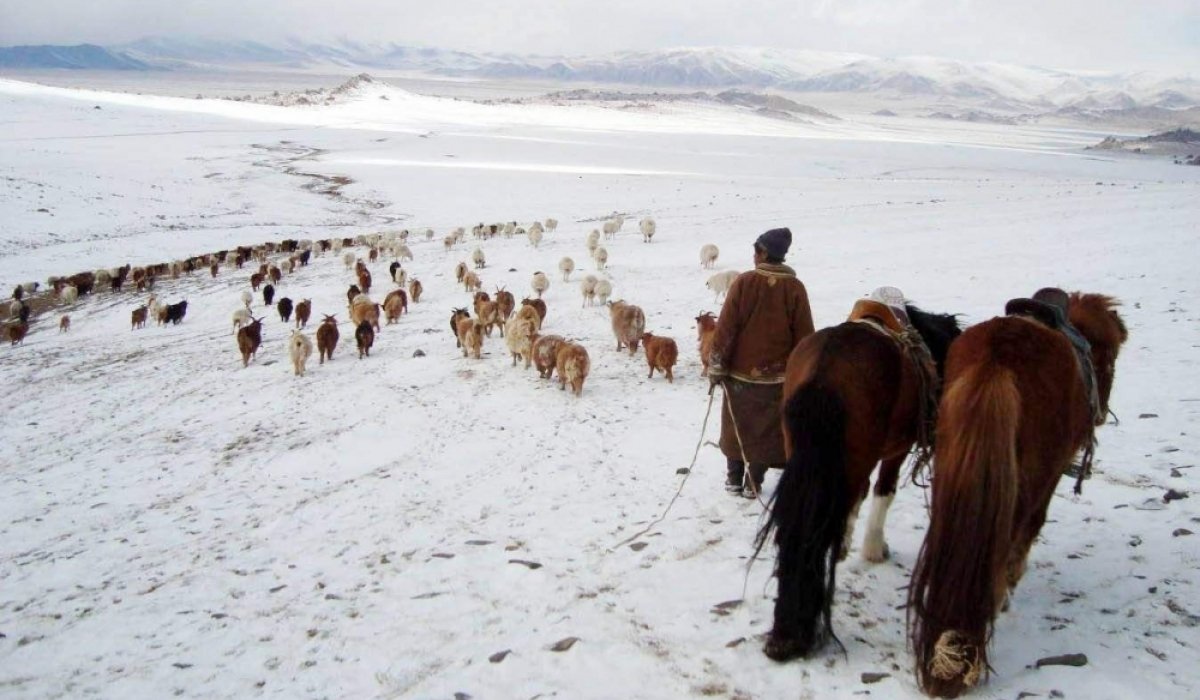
(766, 315)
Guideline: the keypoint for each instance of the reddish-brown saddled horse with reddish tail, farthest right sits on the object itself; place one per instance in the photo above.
(1015, 412)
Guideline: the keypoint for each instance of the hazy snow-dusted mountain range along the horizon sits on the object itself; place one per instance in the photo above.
(991, 86)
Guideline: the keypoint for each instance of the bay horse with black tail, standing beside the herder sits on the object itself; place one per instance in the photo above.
(855, 396)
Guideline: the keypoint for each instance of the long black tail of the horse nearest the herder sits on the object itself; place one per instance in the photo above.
(808, 517)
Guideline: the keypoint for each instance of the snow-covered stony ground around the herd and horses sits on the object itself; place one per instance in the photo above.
(175, 524)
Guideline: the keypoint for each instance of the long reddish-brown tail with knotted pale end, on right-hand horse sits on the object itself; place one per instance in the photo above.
(961, 578)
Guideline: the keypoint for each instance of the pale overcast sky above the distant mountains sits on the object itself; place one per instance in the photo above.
(1121, 35)
